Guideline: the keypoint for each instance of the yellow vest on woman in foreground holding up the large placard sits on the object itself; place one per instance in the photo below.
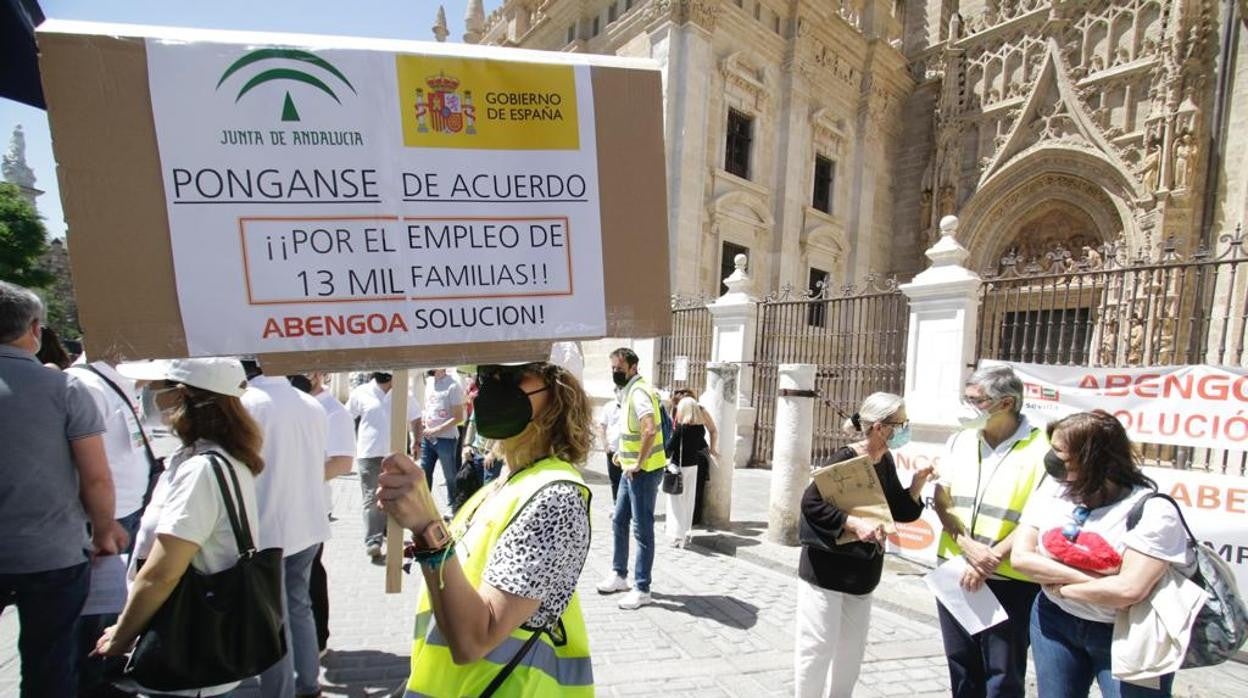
(557, 665)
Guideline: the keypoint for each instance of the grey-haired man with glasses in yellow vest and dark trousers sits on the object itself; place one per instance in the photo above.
(990, 470)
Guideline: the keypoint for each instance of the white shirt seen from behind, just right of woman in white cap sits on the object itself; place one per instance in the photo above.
(291, 488)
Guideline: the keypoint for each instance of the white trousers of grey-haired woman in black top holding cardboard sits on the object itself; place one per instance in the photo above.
(831, 641)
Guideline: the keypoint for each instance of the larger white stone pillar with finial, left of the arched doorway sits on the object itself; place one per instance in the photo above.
(944, 319)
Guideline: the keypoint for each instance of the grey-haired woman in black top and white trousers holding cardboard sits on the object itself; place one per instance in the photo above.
(834, 594)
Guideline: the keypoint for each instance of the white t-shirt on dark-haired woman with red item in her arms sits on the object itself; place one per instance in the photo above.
(1159, 535)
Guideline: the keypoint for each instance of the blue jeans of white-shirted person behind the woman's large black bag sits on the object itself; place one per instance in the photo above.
(299, 671)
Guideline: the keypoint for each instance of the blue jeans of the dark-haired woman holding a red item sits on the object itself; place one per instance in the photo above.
(1070, 652)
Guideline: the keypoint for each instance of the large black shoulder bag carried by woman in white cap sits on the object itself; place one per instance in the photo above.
(217, 629)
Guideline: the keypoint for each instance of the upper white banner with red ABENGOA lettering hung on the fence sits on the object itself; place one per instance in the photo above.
(1202, 406)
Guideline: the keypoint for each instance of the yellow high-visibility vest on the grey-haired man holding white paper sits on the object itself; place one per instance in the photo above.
(990, 504)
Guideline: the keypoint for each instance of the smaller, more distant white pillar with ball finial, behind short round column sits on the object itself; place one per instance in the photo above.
(736, 318)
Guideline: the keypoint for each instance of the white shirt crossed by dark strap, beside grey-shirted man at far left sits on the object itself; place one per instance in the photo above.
(123, 436)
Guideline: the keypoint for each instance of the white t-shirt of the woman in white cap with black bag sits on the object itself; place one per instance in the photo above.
(188, 504)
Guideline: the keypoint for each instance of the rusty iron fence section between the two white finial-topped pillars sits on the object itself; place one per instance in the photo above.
(857, 339)
